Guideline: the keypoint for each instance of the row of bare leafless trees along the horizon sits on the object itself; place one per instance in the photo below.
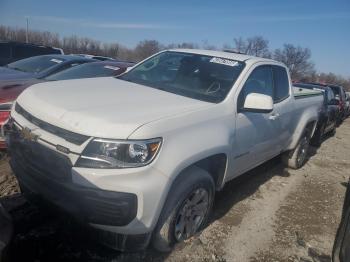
(298, 59)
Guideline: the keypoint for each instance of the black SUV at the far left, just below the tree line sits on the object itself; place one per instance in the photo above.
(13, 51)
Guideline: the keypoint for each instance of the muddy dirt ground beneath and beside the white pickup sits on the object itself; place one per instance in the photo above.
(269, 214)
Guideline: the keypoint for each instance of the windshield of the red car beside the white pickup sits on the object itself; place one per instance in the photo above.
(86, 71)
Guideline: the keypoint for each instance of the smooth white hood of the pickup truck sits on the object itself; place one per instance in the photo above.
(102, 107)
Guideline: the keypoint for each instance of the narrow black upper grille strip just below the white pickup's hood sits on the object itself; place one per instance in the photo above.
(69, 136)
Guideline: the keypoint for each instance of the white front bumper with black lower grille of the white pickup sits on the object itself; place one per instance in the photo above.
(122, 204)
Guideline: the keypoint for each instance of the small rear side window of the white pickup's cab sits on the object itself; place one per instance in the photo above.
(281, 84)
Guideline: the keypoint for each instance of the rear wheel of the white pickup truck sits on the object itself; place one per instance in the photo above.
(296, 158)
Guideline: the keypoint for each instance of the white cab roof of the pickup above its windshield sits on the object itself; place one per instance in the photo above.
(224, 54)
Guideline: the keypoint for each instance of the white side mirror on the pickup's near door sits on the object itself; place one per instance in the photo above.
(259, 103)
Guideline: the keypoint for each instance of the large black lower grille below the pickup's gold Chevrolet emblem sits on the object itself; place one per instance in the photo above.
(40, 160)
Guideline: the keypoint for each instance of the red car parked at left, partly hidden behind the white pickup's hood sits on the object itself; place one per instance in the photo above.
(11, 89)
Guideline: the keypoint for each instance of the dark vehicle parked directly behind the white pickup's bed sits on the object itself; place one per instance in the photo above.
(329, 112)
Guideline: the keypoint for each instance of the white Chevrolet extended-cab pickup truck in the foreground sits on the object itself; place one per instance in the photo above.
(140, 157)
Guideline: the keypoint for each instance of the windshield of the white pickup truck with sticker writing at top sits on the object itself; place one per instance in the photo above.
(201, 77)
